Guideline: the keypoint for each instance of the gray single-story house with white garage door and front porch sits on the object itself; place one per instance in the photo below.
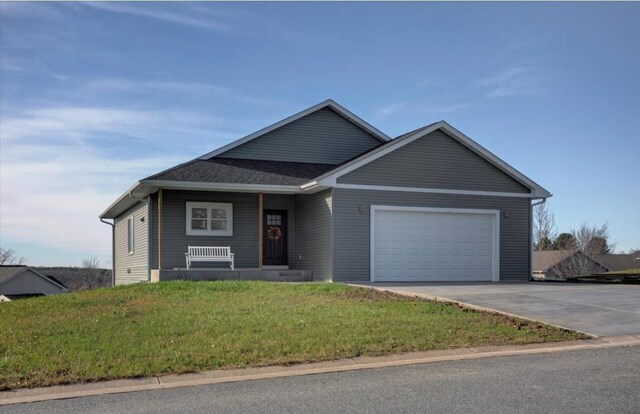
(325, 194)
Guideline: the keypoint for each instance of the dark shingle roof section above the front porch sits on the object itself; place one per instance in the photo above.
(231, 170)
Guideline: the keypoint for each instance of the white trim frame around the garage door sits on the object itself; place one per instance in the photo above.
(495, 276)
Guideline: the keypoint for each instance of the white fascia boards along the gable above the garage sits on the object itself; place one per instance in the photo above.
(330, 178)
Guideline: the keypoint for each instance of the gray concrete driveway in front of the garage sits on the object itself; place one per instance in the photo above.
(597, 309)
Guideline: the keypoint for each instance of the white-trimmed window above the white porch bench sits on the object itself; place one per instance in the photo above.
(209, 219)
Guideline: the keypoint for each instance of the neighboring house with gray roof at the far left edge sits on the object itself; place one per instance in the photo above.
(22, 281)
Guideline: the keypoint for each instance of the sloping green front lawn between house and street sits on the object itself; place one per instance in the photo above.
(179, 327)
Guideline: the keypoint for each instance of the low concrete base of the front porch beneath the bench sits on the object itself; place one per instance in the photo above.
(268, 275)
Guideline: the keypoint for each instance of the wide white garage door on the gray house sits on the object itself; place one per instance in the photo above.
(429, 244)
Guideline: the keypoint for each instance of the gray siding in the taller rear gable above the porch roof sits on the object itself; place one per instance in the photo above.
(322, 137)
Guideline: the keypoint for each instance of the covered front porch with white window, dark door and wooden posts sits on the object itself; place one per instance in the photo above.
(273, 236)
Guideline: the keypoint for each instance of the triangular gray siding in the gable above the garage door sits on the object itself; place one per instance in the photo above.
(434, 161)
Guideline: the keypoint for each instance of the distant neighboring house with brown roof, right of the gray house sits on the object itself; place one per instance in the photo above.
(560, 264)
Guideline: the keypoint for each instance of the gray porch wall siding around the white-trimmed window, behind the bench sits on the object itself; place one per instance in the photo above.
(244, 242)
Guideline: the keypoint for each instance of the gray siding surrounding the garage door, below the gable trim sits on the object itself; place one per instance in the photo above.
(351, 238)
